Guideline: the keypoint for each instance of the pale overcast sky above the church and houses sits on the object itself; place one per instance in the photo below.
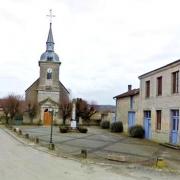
(103, 45)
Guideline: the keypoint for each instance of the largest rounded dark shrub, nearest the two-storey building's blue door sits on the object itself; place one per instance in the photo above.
(136, 131)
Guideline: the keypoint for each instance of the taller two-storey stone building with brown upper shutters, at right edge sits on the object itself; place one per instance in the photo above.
(159, 103)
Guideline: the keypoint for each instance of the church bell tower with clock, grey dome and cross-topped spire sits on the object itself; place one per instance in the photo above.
(49, 71)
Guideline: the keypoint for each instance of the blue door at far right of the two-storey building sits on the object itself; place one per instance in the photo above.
(174, 126)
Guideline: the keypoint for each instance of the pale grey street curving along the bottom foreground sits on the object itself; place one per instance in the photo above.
(23, 161)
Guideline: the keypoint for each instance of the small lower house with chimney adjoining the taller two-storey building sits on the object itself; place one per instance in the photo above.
(127, 107)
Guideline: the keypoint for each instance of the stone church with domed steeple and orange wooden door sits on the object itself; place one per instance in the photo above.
(47, 92)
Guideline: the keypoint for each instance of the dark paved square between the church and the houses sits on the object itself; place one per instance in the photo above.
(101, 143)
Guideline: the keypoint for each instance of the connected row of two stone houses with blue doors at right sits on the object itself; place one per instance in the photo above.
(156, 105)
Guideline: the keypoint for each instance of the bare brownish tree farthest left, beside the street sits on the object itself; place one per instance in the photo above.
(12, 106)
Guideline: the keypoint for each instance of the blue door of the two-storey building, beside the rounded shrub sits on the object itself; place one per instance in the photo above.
(147, 124)
